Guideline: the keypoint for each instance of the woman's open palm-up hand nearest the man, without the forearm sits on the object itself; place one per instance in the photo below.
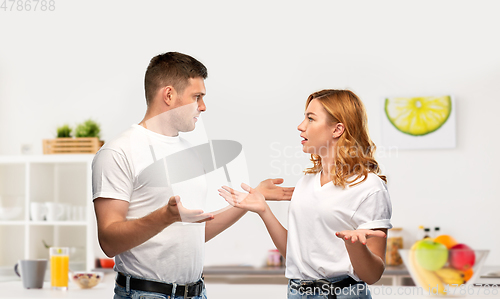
(252, 201)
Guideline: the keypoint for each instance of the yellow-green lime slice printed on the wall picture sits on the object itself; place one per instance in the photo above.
(418, 116)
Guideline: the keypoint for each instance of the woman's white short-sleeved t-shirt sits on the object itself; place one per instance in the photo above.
(316, 212)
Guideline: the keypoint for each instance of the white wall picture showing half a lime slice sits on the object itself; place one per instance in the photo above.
(422, 122)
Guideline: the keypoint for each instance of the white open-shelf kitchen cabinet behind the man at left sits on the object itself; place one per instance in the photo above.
(61, 179)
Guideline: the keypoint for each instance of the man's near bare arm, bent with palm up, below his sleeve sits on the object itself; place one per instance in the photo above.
(117, 234)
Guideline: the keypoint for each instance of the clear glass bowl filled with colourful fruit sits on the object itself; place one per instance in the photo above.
(442, 266)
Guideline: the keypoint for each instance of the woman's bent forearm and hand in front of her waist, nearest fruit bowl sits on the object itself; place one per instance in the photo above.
(366, 249)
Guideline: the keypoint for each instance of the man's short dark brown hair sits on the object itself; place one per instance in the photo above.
(174, 69)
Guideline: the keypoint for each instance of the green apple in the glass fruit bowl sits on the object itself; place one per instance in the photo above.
(431, 255)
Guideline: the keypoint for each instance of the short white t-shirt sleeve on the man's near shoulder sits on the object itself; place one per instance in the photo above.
(111, 176)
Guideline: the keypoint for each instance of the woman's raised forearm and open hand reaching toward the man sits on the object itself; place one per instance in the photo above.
(254, 201)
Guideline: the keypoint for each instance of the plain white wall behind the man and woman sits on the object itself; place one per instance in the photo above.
(87, 59)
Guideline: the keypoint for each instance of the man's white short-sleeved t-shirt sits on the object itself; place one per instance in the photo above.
(134, 168)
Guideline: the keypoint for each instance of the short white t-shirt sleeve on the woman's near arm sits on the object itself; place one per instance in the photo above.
(374, 212)
